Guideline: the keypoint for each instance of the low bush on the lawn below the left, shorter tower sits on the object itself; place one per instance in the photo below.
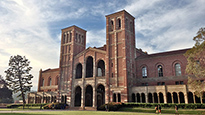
(56, 106)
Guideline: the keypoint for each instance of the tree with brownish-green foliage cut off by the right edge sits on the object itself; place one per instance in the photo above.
(196, 63)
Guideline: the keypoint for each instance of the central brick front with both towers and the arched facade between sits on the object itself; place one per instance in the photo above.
(94, 76)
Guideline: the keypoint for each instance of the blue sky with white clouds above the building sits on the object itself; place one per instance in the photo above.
(32, 28)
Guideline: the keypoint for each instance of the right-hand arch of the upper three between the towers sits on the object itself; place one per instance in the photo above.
(101, 68)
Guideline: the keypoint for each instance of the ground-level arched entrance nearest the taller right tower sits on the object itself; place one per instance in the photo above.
(100, 95)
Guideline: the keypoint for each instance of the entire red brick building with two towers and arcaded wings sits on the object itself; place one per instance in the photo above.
(117, 72)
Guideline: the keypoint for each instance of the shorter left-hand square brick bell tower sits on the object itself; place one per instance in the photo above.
(73, 41)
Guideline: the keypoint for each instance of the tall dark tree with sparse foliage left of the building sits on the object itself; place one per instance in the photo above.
(18, 77)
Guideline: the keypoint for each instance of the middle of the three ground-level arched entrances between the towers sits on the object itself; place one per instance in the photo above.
(89, 96)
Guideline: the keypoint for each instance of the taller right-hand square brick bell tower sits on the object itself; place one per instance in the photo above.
(120, 40)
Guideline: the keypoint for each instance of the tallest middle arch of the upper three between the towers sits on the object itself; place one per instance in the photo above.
(89, 67)
